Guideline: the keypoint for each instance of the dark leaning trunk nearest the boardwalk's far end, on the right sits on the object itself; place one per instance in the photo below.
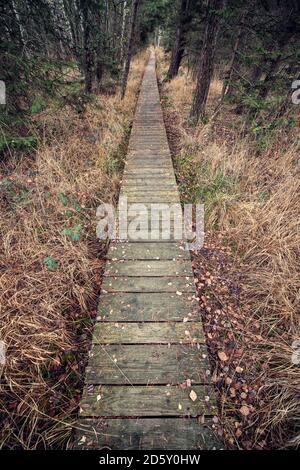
(178, 48)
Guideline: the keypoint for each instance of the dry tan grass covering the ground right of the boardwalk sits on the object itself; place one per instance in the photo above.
(253, 202)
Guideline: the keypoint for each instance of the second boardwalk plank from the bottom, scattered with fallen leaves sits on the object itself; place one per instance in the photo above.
(156, 400)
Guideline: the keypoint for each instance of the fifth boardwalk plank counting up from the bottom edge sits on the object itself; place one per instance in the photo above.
(148, 307)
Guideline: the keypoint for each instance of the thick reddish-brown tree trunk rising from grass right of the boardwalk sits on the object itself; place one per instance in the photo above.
(206, 63)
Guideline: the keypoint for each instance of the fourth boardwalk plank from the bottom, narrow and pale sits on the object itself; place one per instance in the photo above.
(148, 333)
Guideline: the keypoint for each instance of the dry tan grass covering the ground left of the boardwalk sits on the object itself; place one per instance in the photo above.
(51, 262)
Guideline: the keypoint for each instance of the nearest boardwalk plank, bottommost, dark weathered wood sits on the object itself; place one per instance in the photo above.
(148, 434)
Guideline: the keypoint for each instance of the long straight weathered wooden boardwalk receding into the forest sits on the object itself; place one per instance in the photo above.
(147, 380)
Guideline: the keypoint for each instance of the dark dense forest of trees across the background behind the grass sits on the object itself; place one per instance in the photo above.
(70, 49)
